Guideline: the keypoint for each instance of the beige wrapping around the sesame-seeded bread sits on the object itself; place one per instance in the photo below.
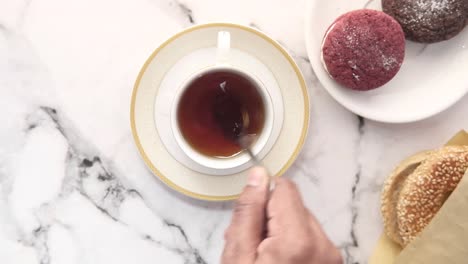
(444, 240)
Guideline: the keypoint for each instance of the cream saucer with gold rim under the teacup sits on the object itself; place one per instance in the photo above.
(149, 87)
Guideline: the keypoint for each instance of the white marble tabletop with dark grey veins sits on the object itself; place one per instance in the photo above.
(72, 186)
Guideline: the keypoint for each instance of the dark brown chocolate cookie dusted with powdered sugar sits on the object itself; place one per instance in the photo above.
(428, 21)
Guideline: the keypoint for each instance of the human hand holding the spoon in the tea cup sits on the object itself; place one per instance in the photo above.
(275, 230)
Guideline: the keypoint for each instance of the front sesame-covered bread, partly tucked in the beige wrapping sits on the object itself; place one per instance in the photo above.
(426, 189)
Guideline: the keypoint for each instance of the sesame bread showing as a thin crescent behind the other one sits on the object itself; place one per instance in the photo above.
(391, 192)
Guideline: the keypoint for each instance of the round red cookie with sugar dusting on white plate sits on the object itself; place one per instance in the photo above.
(363, 49)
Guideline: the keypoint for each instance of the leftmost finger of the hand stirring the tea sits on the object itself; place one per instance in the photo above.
(248, 220)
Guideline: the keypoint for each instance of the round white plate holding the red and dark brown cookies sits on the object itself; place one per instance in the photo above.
(432, 78)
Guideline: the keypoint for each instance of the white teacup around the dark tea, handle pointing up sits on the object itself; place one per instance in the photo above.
(203, 62)
